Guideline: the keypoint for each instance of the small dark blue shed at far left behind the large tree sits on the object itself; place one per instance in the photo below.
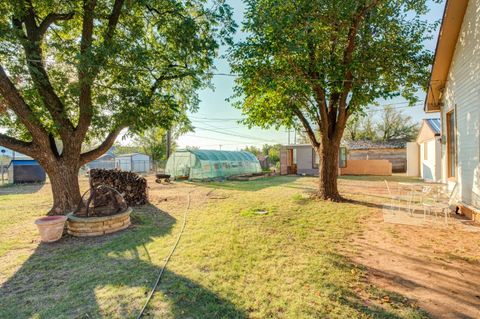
(26, 171)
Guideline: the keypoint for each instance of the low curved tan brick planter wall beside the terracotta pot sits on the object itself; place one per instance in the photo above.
(97, 226)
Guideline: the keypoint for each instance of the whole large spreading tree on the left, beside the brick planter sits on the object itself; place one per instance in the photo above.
(80, 71)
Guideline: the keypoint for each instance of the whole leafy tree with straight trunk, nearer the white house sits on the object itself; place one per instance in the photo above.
(311, 64)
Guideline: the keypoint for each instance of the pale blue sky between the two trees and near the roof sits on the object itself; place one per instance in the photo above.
(216, 120)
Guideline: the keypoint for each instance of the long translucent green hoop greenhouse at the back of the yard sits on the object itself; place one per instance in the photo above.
(211, 164)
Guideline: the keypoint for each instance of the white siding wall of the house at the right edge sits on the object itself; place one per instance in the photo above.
(462, 93)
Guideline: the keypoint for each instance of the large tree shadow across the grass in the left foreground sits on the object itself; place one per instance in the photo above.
(107, 277)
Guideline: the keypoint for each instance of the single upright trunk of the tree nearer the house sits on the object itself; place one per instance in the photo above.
(328, 171)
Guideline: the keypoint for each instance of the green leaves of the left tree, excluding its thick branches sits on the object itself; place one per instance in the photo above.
(146, 76)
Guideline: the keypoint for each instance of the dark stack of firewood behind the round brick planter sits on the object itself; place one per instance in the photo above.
(131, 186)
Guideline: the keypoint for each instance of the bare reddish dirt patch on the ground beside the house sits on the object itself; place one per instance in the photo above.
(438, 268)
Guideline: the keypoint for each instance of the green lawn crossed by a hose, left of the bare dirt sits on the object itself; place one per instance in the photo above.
(291, 262)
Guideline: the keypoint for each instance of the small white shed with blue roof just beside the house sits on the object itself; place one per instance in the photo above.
(430, 153)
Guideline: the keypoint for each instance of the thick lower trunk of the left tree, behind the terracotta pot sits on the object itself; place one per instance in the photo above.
(65, 188)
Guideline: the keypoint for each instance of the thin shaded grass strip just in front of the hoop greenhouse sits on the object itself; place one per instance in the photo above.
(249, 186)
